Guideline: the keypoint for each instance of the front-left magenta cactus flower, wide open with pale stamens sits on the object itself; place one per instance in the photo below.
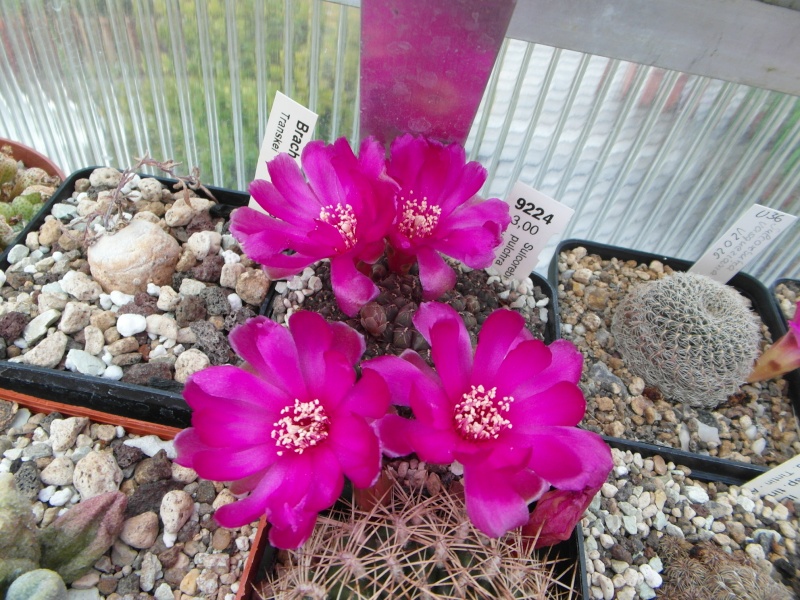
(288, 430)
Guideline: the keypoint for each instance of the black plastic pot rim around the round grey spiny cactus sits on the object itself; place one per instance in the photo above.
(724, 470)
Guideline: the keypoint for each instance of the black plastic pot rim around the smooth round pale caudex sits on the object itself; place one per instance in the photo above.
(163, 406)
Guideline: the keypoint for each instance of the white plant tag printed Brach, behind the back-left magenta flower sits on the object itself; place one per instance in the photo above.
(289, 128)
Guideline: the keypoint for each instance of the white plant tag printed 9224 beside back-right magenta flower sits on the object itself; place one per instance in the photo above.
(535, 218)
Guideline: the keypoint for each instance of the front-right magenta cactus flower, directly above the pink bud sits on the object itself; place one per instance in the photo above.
(506, 412)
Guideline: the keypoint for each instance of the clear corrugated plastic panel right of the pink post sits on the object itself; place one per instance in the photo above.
(649, 159)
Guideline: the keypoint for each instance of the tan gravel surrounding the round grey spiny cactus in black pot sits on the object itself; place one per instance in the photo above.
(755, 426)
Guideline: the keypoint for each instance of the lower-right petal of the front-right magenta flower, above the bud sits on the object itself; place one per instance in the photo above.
(570, 458)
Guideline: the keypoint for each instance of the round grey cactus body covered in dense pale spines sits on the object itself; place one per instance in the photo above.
(694, 338)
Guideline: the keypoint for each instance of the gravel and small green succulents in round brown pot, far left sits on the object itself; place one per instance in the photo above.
(22, 193)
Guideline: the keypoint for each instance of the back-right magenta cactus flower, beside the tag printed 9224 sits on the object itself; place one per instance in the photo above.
(439, 212)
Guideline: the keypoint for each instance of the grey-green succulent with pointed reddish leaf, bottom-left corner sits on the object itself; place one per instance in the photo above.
(69, 546)
